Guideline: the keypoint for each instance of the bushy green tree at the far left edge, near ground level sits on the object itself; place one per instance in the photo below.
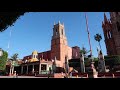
(3, 60)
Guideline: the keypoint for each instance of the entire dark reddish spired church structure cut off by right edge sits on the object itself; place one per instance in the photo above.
(111, 29)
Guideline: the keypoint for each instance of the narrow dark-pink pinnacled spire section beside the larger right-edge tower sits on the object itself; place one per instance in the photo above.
(108, 35)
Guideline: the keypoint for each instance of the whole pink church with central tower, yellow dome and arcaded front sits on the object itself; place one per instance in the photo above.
(60, 51)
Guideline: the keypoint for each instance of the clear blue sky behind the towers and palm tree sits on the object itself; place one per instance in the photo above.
(33, 31)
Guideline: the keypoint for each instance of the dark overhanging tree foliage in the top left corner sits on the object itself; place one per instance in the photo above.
(8, 19)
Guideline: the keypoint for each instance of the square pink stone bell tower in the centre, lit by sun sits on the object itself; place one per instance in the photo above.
(59, 47)
